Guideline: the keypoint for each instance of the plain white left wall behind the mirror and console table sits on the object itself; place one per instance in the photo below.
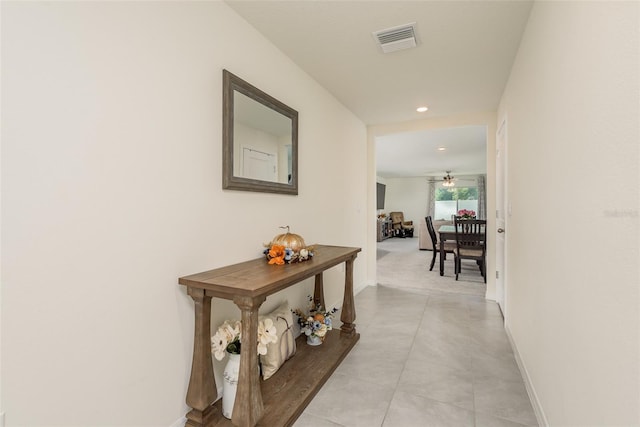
(111, 191)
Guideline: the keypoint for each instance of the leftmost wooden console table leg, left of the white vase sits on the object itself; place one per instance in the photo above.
(202, 391)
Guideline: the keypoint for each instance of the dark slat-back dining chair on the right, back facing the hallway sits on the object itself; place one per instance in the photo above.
(471, 244)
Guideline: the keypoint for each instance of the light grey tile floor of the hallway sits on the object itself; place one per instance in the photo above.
(424, 360)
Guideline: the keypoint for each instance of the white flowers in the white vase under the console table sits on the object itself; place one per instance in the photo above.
(227, 338)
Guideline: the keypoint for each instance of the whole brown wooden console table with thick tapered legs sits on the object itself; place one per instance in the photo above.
(282, 398)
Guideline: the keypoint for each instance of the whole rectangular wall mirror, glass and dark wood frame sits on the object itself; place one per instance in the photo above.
(260, 140)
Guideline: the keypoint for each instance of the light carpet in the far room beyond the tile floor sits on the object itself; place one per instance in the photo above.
(402, 265)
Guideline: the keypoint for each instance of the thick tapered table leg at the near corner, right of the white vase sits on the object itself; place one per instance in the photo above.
(248, 406)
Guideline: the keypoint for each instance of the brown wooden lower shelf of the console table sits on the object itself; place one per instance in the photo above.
(289, 391)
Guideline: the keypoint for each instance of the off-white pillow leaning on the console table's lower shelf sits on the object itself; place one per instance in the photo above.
(285, 347)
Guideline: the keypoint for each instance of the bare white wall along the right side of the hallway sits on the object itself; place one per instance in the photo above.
(572, 110)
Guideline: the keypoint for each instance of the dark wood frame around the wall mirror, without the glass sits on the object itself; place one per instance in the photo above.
(233, 84)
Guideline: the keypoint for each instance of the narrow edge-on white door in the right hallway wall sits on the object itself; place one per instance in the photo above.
(501, 215)
